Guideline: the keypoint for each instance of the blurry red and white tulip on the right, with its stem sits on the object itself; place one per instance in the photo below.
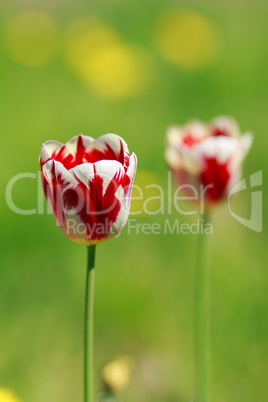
(205, 160)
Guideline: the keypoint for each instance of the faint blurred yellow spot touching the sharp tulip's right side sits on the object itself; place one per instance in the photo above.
(147, 194)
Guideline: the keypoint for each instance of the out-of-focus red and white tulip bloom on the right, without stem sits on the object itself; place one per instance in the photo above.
(207, 156)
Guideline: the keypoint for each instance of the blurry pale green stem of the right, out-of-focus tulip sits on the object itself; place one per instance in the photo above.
(202, 313)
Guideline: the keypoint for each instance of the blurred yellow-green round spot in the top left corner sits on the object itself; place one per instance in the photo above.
(32, 37)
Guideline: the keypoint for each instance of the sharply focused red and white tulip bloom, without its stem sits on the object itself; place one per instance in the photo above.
(88, 185)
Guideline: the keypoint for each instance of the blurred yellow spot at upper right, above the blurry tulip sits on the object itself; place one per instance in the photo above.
(187, 38)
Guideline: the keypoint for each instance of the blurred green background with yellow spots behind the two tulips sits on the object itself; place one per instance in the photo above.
(130, 67)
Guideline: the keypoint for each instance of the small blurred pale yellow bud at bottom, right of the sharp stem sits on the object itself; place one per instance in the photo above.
(116, 374)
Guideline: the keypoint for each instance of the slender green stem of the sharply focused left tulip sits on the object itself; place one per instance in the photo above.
(88, 334)
